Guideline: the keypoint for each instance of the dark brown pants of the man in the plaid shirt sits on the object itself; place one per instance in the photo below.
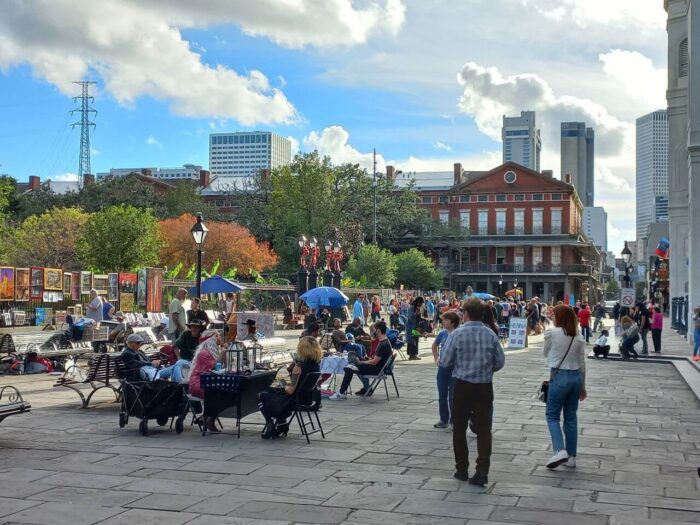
(472, 402)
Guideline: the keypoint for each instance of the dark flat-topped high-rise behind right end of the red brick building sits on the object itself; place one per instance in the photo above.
(577, 159)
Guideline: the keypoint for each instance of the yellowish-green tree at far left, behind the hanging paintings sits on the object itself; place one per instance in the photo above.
(49, 239)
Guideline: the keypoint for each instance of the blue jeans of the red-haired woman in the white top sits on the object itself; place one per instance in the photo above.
(564, 390)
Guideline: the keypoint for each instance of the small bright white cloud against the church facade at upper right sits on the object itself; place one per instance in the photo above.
(637, 75)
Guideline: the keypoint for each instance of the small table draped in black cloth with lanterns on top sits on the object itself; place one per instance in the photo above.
(237, 401)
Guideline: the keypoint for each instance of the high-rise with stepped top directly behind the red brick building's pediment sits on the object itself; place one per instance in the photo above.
(521, 140)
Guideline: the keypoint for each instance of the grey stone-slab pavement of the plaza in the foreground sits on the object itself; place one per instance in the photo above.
(381, 463)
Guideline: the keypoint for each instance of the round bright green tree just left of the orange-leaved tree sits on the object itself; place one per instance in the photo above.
(120, 239)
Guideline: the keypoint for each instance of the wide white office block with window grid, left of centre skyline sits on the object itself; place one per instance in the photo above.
(243, 154)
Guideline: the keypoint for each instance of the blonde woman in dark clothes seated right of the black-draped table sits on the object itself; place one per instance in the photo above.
(276, 404)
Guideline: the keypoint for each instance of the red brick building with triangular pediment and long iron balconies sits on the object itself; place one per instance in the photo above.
(515, 226)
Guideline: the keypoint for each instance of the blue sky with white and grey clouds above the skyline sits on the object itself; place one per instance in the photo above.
(425, 82)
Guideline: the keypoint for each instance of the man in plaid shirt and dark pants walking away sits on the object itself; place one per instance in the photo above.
(474, 353)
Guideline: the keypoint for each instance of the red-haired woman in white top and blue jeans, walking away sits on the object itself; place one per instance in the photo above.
(565, 352)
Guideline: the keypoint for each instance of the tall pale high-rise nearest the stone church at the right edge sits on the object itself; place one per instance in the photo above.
(652, 169)
